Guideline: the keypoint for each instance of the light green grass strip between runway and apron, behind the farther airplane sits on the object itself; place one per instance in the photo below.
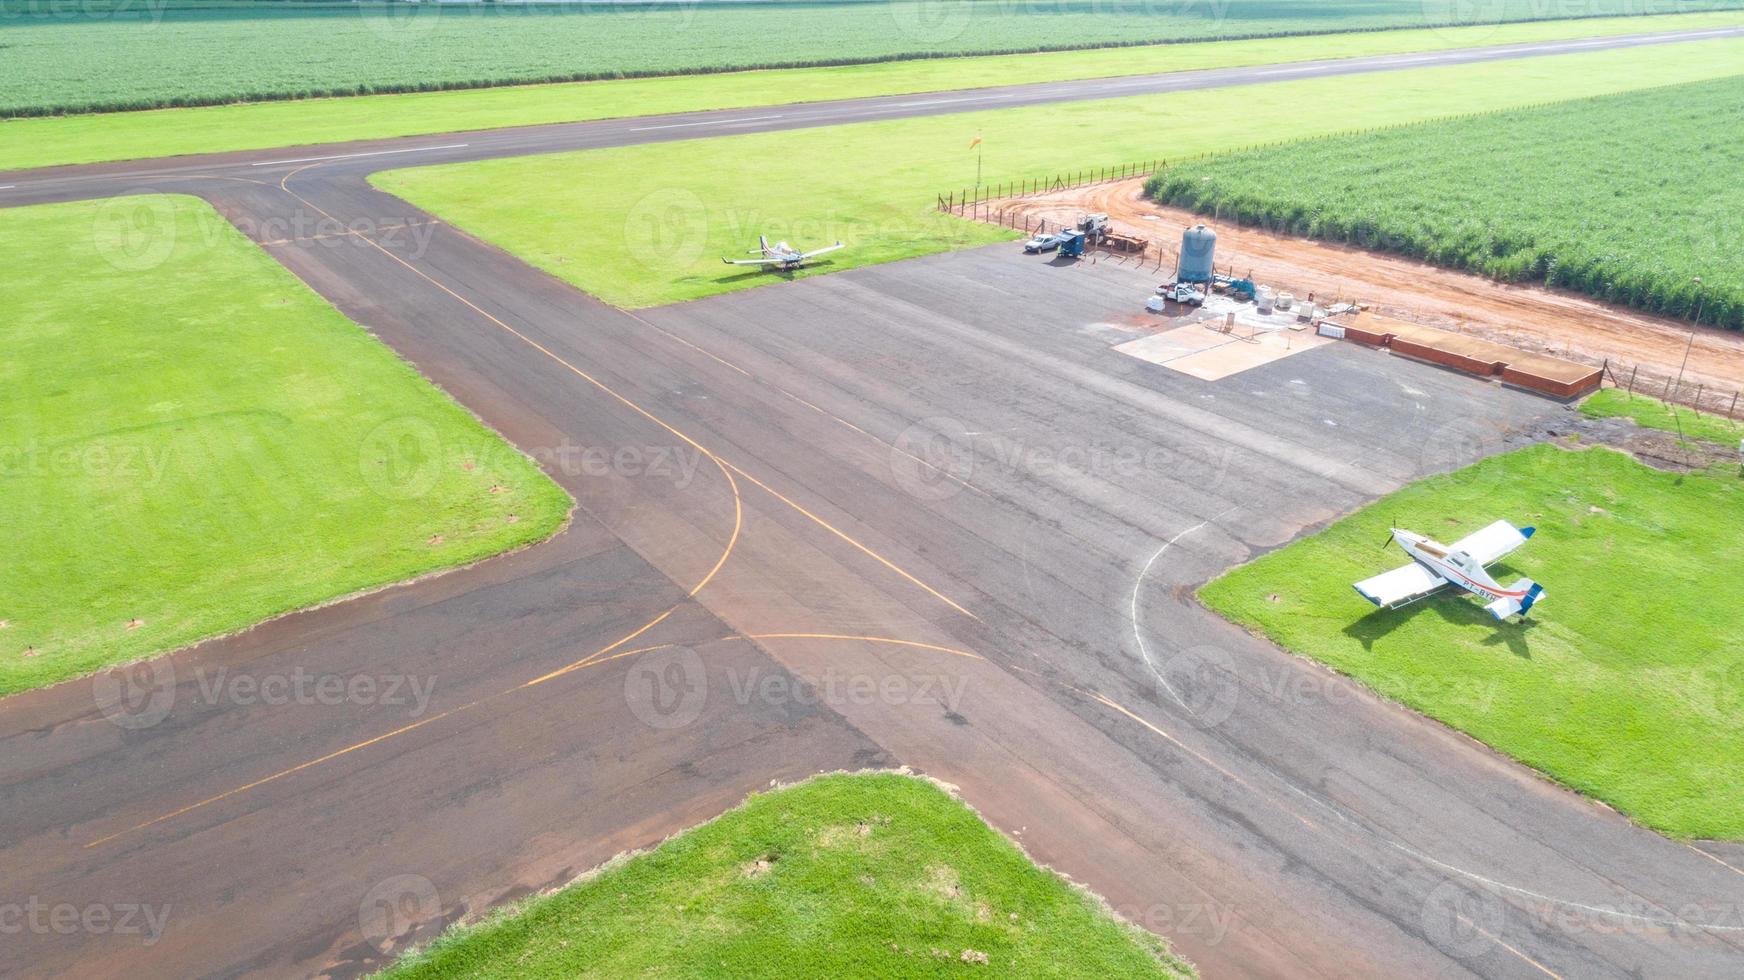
(671, 212)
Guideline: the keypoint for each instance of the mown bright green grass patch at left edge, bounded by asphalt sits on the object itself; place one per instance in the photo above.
(193, 442)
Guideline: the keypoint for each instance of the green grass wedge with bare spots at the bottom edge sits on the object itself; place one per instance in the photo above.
(841, 876)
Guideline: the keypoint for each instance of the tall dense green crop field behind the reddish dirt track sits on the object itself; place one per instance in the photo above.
(1574, 196)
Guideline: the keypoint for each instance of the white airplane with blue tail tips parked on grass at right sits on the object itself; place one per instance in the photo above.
(1461, 564)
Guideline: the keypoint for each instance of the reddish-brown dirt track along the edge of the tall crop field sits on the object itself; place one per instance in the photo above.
(1530, 318)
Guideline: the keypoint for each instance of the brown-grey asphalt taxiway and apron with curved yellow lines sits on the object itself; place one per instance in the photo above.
(934, 521)
